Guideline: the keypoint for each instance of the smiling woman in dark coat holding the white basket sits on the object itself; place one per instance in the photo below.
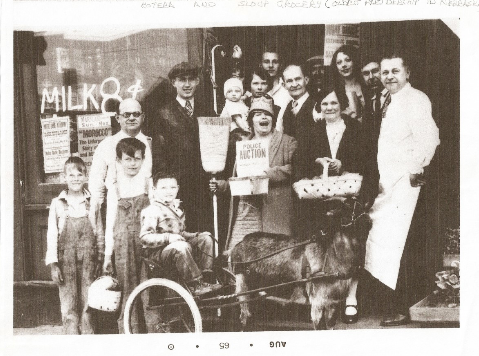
(337, 141)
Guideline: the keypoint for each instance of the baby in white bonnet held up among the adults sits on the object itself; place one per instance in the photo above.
(234, 105)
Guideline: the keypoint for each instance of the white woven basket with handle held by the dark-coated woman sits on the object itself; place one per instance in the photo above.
(346, 185)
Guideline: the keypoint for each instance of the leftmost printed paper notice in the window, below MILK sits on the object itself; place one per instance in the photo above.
(56, 143)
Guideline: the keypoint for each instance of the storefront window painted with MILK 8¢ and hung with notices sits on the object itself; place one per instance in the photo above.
(85, 74)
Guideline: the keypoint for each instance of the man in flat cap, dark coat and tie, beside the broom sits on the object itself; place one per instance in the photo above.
(177, 147)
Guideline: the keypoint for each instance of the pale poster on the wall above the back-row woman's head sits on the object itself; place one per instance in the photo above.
(338, 35)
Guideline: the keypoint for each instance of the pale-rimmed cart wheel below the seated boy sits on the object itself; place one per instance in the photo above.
(167, 308)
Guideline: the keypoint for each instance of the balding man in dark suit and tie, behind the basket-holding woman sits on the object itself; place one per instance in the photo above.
(298, 115)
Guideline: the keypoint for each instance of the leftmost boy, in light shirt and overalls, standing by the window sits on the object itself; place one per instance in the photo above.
(75, 244)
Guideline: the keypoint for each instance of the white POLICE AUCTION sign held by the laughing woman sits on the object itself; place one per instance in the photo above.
(252, 158)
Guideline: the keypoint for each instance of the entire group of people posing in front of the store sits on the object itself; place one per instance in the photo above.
(369, 120)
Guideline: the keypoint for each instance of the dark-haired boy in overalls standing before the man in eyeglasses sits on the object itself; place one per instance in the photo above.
(127, 197)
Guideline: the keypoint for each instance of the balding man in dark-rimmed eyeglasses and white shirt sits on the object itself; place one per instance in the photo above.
(103, 168)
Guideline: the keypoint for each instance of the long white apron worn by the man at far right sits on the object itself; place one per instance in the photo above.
(393, 209)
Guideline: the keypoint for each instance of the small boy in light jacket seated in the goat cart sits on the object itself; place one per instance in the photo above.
(163, 233)
